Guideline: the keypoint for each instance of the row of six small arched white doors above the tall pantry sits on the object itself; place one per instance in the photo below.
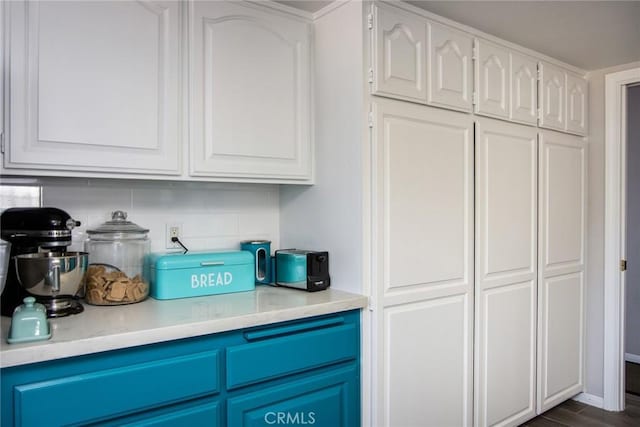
(417, 59)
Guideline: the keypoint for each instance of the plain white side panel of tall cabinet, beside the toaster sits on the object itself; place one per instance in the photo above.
(329, 215)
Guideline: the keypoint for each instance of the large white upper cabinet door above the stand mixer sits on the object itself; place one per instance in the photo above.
(95, 86)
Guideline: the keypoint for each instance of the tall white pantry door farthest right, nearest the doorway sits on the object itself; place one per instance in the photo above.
(561, 268)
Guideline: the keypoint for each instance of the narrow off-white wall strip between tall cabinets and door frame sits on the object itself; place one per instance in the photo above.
(595, 231)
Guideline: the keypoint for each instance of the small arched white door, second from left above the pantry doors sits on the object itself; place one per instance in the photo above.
(450, 71)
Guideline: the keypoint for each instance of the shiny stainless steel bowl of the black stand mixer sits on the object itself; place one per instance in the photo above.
(52, 273)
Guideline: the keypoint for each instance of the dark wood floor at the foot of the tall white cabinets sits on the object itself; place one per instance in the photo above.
(576, 414)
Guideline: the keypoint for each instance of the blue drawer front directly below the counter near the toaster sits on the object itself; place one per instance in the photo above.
(274, 352)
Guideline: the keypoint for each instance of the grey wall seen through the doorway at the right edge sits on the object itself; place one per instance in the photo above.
(632, 339)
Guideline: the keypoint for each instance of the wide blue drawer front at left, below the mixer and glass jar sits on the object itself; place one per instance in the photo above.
(92, 396)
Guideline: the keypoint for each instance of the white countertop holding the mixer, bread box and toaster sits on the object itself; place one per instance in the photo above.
(112, 327)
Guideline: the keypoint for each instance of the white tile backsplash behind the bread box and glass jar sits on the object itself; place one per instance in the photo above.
(211, 215)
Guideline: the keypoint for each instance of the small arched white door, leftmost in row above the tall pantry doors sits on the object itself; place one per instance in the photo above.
(399, 62)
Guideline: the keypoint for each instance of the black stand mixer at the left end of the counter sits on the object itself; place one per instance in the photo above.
(39, 232)
